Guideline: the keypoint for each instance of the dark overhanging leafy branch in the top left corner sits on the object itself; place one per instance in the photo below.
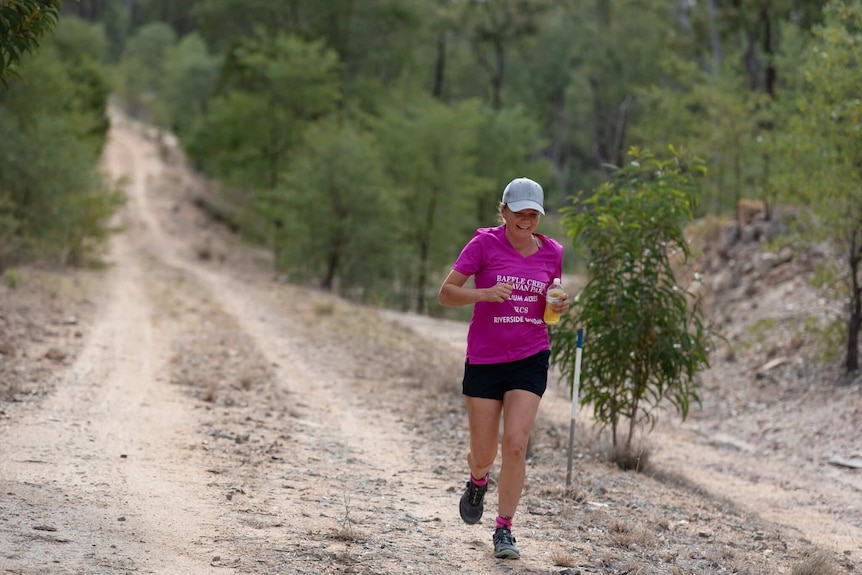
(23, 23)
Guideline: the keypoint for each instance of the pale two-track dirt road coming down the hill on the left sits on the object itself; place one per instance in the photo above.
(111, 474)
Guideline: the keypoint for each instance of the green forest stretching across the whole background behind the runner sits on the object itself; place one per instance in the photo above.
(363, 142)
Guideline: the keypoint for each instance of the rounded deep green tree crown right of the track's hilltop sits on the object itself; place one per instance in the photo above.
(274, 88)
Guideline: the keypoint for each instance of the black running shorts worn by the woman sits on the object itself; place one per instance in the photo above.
(493, 380)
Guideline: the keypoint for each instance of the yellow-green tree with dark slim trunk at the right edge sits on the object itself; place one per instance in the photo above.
(824, 149)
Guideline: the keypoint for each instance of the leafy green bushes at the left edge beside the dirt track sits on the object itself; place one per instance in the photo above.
(53, 203)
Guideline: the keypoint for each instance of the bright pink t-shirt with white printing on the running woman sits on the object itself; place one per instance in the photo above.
(513, 329)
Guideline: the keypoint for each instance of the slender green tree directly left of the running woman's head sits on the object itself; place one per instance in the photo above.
(429, 150)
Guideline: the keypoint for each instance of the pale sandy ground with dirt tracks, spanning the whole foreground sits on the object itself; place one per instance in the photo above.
(181, 411)
